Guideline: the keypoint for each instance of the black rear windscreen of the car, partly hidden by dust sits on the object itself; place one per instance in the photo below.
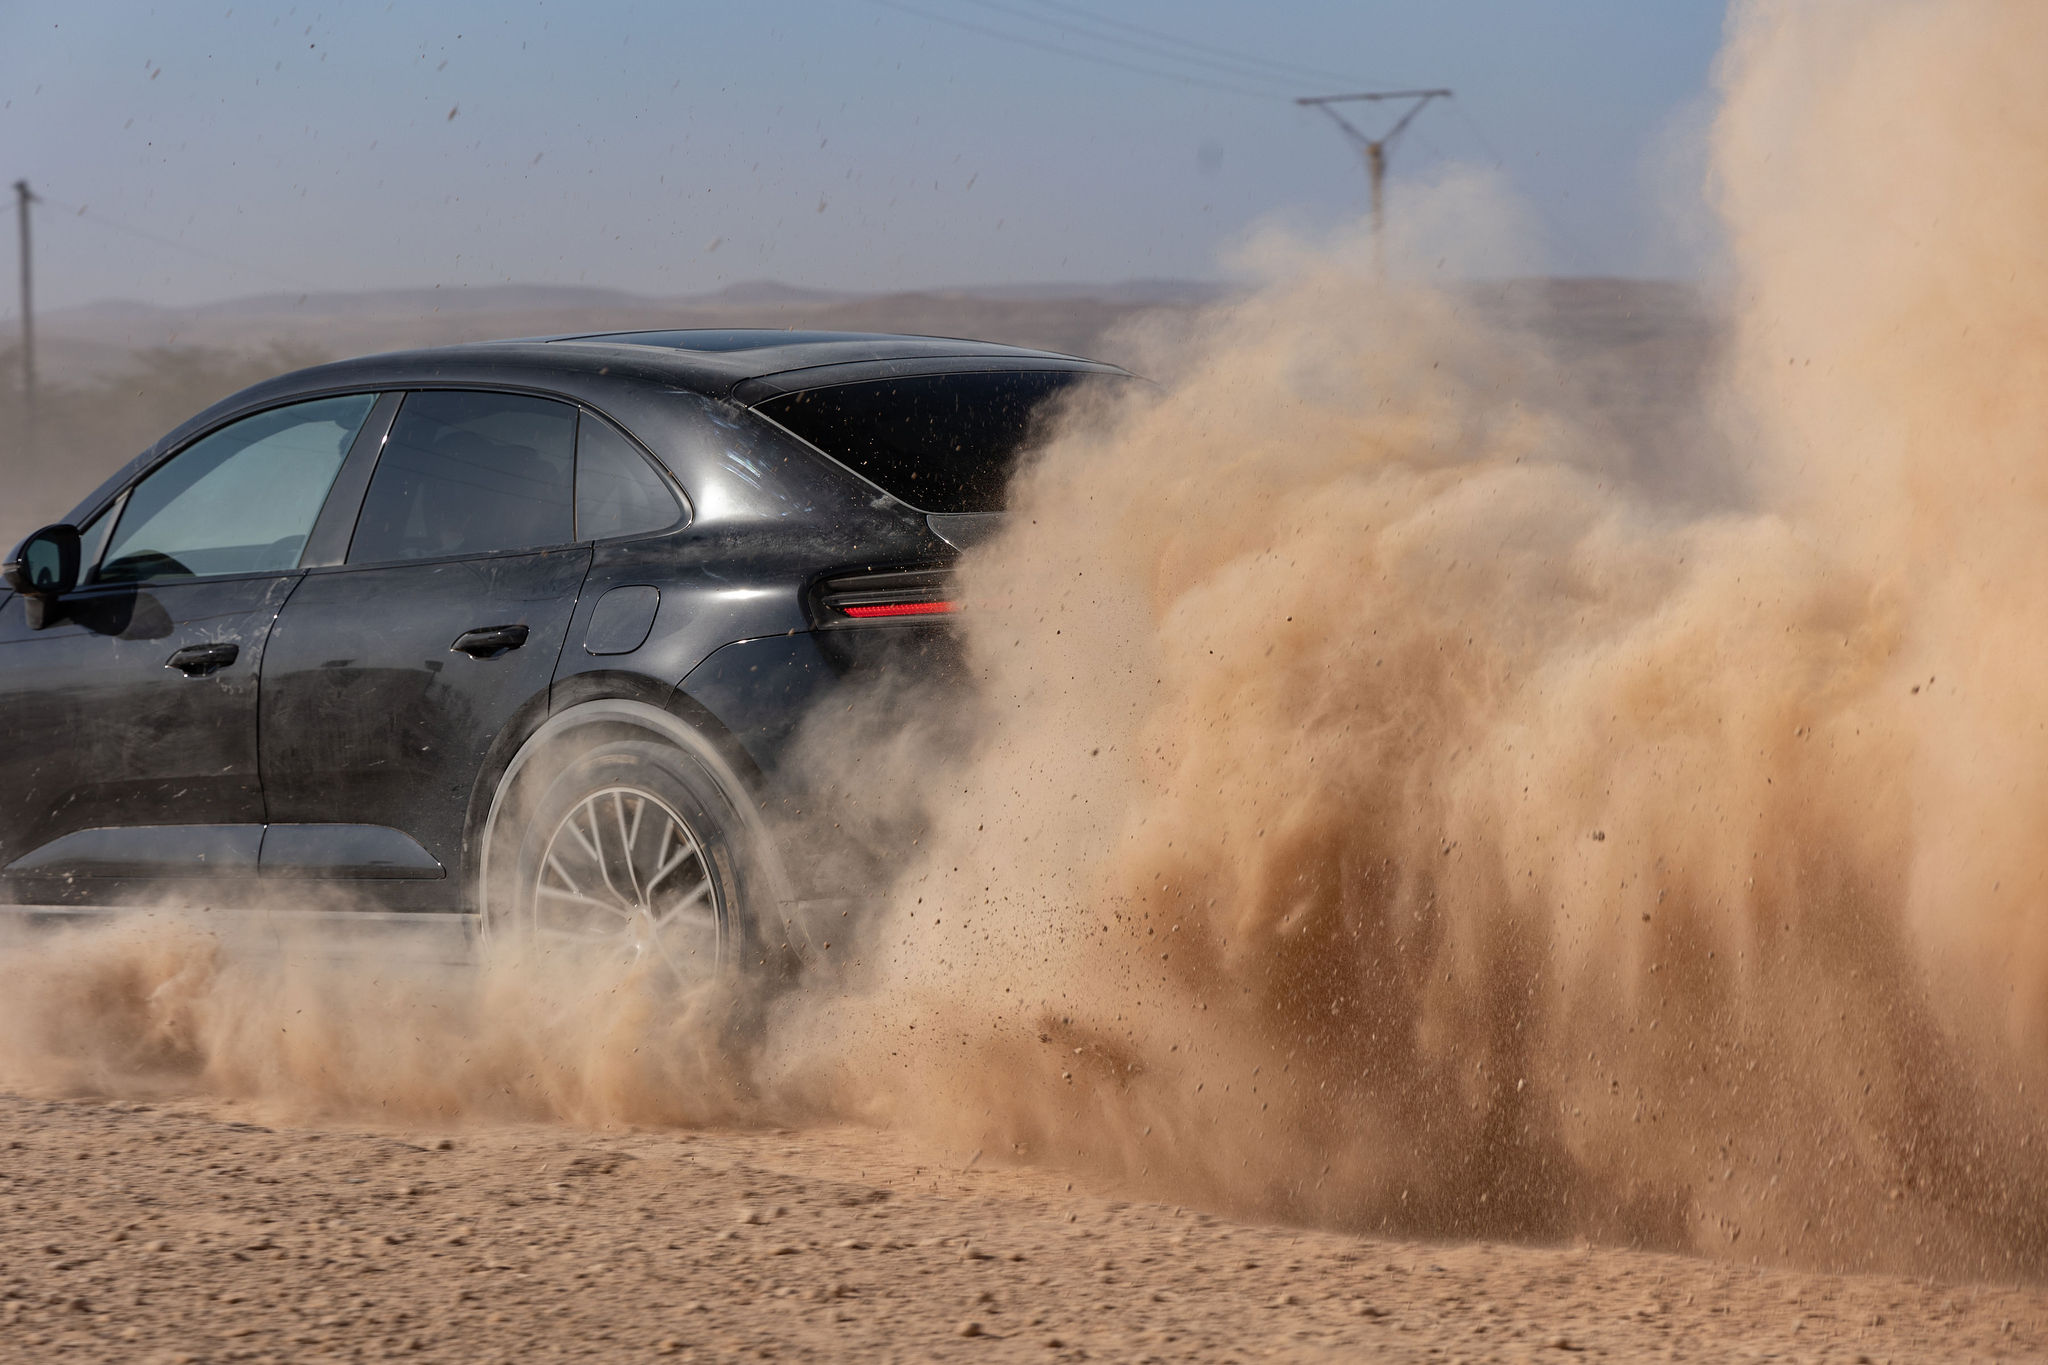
(941, 443)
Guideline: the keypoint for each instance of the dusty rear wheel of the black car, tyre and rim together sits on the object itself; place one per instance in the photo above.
(630, 850)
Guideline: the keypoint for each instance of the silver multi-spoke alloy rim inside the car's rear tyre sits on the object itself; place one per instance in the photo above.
(626, 873)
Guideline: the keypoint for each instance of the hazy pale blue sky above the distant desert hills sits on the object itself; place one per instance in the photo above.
(861, 144)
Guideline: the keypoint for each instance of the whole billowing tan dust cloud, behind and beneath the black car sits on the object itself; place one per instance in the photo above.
(1388, 809)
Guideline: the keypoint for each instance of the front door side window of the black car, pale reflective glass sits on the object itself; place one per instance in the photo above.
(239, 500)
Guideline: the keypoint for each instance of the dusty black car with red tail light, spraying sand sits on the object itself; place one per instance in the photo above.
(517, 629)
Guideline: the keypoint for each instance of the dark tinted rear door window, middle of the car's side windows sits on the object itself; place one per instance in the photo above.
(470, 474)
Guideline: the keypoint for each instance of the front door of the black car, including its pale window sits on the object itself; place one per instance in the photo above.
(132, 713)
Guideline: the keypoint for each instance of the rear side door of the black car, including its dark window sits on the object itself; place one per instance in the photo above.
(392, 676)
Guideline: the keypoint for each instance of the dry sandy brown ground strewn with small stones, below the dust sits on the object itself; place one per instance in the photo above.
(196, 1233)
